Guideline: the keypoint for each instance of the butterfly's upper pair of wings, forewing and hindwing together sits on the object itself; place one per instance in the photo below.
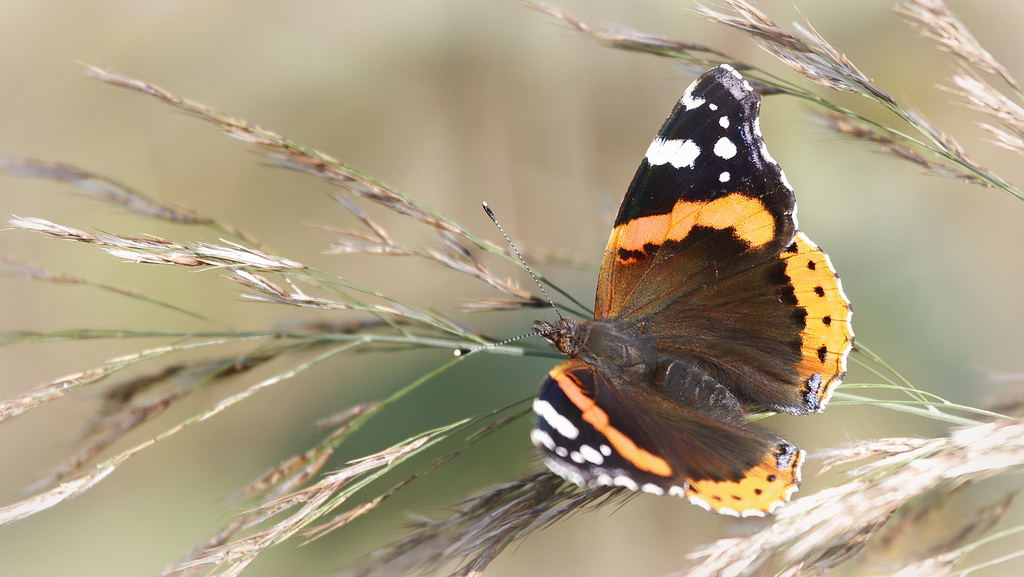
(706, 258)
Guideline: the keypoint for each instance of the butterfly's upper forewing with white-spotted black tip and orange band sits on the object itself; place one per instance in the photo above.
(707, 199)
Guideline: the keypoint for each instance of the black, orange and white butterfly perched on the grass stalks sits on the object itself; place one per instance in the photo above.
(711, 306)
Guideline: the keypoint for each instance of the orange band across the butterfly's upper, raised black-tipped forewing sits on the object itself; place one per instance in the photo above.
(749, 217)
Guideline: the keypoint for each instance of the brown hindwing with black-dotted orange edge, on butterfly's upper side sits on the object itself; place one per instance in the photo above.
(777, 335)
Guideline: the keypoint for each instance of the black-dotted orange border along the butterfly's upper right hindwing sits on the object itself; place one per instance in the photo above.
(828, 336)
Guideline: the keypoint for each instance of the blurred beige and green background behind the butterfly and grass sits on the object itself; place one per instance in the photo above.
(454, 103)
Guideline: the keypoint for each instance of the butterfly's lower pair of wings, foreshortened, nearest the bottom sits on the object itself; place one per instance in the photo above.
(594, 432)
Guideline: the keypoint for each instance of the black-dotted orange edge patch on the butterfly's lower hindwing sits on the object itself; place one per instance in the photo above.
(761, 491)
